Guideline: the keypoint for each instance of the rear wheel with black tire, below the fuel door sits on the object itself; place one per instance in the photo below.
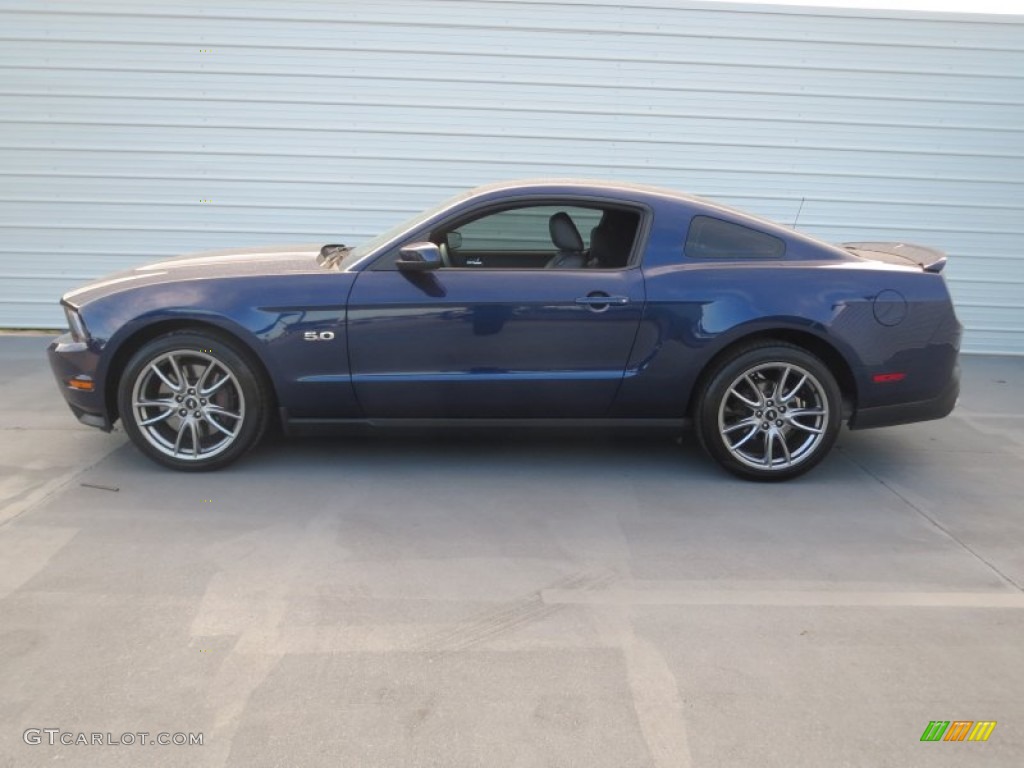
(747, 428)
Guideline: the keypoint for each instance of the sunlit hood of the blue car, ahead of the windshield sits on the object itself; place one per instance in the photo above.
(234, 263)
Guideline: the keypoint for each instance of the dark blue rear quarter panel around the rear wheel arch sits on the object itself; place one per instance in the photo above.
(879, 318)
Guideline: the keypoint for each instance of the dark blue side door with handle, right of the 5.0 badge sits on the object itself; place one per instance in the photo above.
(493, 340)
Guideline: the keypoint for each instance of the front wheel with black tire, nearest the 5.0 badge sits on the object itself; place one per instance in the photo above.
(216, 413)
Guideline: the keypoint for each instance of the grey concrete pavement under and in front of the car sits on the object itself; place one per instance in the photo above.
(511, 602)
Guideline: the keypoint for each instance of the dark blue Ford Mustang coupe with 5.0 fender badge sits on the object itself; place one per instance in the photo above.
(547, 303)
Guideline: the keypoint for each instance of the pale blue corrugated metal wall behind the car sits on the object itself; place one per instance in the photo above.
(134, 131)
